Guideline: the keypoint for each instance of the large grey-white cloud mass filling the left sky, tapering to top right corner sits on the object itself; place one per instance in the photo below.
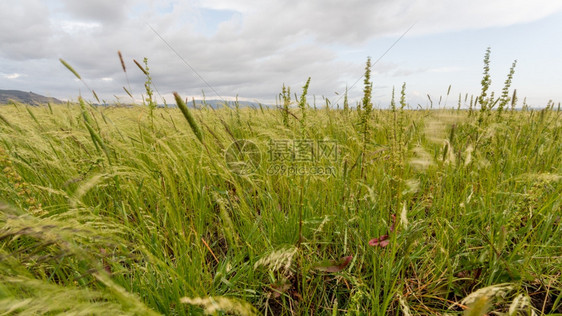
(255, 51)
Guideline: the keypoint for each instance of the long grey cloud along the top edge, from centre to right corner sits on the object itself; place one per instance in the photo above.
(356, 21)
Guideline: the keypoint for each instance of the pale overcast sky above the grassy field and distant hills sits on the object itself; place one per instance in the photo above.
(251, 48)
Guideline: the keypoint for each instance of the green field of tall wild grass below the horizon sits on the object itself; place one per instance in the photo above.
(112, 210)
